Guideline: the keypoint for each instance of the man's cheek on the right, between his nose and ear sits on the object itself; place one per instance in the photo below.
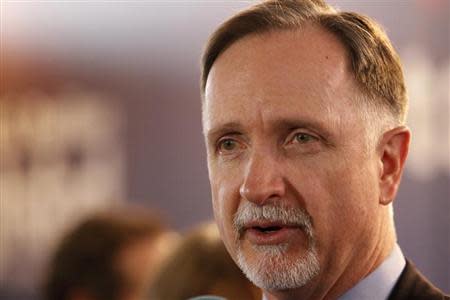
(338, 193)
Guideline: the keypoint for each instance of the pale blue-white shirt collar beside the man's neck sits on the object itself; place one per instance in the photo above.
(379, 283)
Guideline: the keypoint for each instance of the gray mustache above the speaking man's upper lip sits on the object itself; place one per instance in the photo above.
(249, 211)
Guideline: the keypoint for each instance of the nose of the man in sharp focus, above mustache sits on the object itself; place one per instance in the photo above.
(263, 180)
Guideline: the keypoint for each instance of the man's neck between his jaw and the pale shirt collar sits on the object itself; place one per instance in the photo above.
(339, 276)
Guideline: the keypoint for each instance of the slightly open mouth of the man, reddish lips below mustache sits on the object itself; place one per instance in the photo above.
(281, 236)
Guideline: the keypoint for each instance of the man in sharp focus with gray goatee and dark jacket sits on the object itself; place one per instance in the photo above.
(303, 114)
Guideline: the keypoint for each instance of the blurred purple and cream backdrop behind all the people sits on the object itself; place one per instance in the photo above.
(100, 105)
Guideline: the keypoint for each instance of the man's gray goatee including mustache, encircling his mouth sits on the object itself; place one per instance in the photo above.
(271, 268)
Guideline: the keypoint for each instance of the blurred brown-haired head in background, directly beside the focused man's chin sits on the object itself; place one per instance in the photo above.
(201, 265)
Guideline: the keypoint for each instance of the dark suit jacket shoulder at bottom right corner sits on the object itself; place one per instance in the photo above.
(414, 286)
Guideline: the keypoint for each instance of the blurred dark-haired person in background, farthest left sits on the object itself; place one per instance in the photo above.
(110, 255)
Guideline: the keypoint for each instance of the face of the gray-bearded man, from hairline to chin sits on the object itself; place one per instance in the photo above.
(294, 181)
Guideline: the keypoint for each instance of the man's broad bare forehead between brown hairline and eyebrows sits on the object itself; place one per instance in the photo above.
(280, 70)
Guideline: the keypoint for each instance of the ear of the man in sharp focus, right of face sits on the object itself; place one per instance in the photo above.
(393, 150)
